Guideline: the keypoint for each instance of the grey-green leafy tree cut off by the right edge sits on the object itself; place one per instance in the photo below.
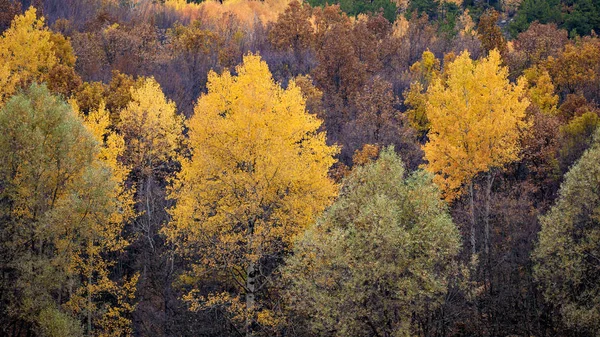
(566, 255)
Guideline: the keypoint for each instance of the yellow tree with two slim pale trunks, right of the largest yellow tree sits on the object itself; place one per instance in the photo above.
(476, 117)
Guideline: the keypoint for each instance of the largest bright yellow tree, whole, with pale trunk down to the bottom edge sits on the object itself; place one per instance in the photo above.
(258, 175)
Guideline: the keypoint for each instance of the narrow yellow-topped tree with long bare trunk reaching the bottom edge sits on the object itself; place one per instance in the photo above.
(153, 134)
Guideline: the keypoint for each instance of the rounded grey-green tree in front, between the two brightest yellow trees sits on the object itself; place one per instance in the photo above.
(379, 256)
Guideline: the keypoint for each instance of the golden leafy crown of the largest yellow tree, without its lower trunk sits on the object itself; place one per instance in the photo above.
(256, 154)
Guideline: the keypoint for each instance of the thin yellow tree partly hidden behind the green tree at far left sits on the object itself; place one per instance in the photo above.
(112, 320)
